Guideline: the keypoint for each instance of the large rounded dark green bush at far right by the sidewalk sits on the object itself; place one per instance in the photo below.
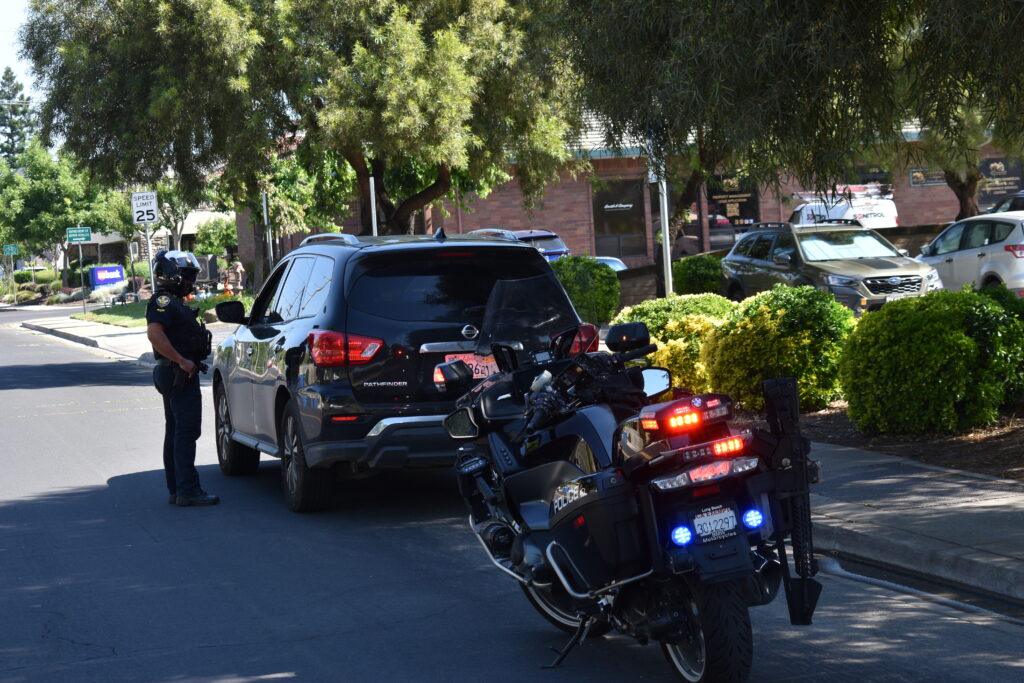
(943, 363)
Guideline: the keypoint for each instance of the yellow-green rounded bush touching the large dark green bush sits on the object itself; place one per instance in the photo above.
(785, 332)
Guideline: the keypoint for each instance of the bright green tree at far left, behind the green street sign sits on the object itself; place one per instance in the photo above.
(49, 195)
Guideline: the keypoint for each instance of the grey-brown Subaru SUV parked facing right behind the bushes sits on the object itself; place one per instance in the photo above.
(860, 267)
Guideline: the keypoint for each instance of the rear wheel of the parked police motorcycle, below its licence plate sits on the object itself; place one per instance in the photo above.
(722, 649)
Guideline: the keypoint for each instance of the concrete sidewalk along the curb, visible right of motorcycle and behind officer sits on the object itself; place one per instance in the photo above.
(938, 523)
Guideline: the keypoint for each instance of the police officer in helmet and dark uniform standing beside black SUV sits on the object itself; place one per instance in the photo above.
(181, 344)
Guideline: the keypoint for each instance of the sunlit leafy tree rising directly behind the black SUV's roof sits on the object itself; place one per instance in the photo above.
(431, 98)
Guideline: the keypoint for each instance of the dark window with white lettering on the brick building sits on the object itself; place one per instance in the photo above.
(620, 229)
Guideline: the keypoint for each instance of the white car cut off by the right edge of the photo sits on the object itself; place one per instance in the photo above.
(980, 251)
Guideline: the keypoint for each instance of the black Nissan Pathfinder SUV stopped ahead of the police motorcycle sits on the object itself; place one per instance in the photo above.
(333, 370)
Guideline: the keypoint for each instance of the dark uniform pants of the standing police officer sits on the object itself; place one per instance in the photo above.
(183, 426)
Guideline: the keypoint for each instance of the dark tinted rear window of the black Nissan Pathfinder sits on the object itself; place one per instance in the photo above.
(441, 286)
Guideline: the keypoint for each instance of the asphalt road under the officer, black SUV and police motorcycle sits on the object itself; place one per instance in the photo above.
(101, 580)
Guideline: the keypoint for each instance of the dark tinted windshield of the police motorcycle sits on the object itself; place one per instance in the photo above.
(527, 314)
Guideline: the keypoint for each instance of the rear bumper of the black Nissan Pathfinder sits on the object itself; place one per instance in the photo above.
(414, 442)
